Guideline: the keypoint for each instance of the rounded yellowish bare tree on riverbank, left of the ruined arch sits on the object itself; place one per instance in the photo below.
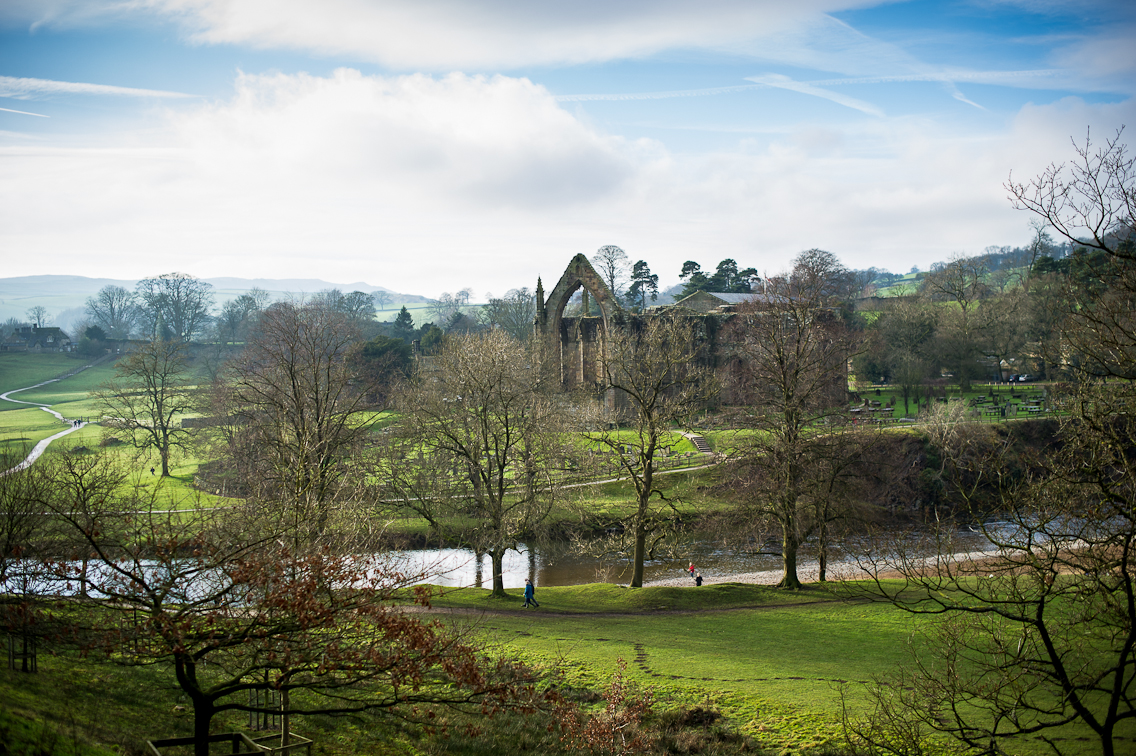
(482, 447)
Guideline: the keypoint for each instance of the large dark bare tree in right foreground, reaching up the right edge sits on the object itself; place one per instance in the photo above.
(1042, 634)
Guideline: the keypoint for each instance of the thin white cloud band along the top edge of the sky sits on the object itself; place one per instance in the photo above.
(456, 35)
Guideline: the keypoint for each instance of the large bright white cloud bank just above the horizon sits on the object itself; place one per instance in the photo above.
(430, 185)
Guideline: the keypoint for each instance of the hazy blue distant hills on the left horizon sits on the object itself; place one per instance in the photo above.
(65, 296)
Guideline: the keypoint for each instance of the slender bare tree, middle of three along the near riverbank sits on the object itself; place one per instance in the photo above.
(656, 370)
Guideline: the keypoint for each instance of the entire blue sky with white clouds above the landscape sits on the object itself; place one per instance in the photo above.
(431, 147)
